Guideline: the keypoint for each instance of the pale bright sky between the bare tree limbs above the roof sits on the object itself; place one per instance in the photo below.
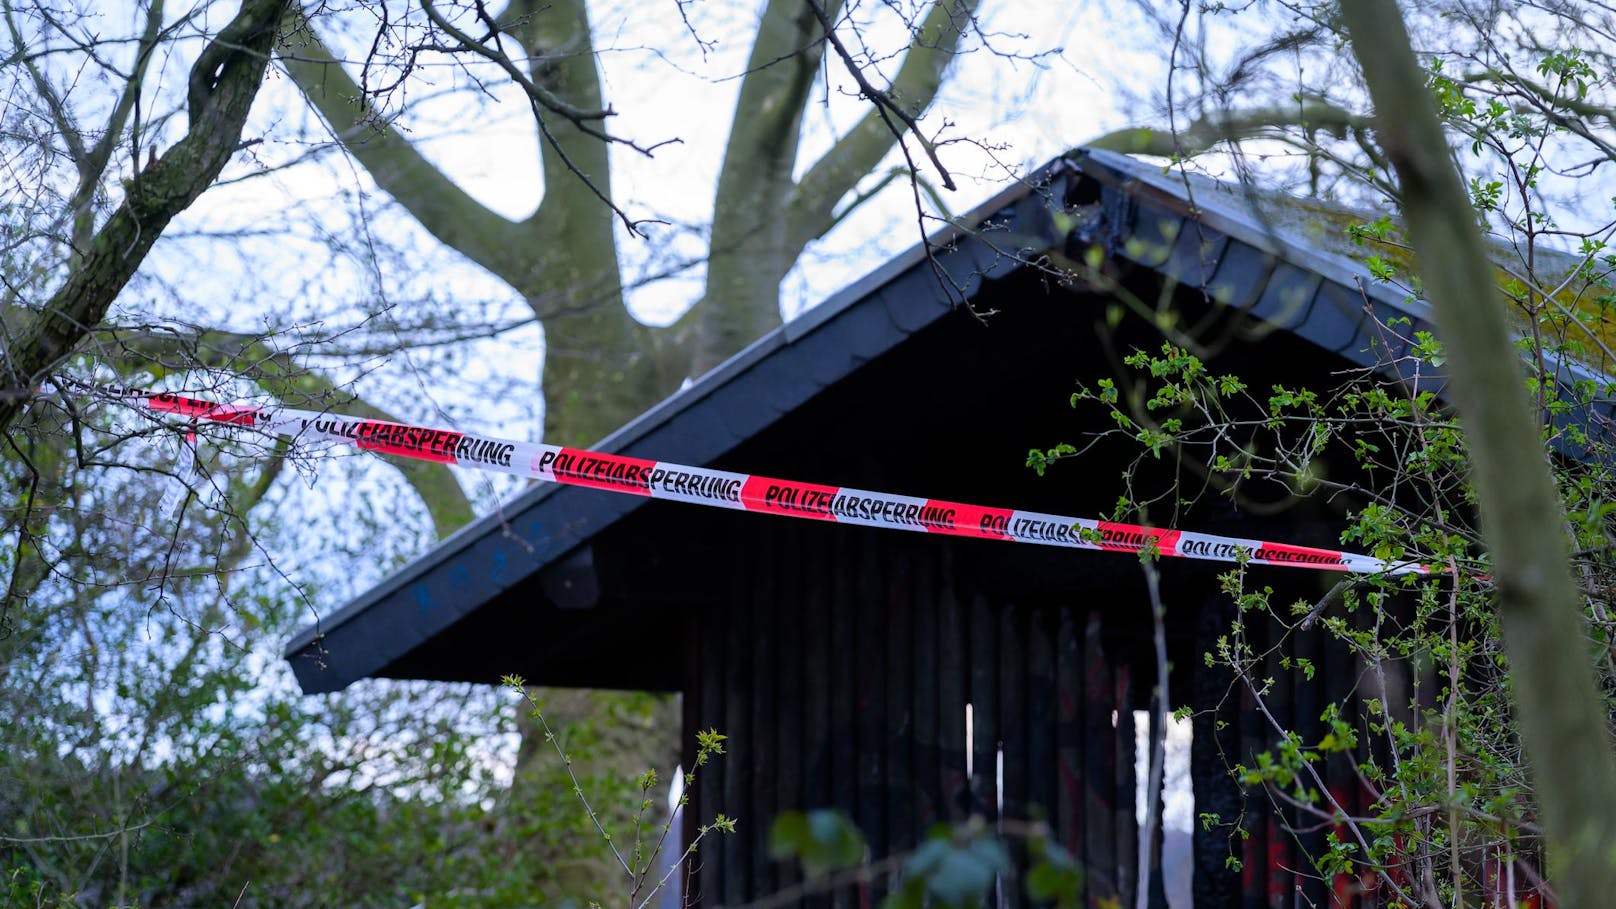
(314, 248)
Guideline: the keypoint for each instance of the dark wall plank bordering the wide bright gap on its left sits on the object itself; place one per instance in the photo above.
(1100, 779)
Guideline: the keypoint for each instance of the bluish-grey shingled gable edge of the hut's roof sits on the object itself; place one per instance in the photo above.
(1239, 248)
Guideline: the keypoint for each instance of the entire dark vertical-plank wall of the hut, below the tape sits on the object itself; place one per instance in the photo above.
(841, 661)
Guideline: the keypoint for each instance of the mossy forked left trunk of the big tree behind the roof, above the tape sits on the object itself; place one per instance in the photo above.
(563, 260)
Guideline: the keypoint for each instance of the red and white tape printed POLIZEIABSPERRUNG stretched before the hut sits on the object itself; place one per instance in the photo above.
(749, 493)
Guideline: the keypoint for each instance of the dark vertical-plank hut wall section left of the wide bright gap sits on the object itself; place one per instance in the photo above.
(841, 667)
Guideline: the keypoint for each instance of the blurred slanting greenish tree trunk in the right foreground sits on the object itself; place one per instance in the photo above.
(1563, 725)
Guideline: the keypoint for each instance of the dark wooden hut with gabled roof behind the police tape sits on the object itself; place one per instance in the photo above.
(844, 662)
